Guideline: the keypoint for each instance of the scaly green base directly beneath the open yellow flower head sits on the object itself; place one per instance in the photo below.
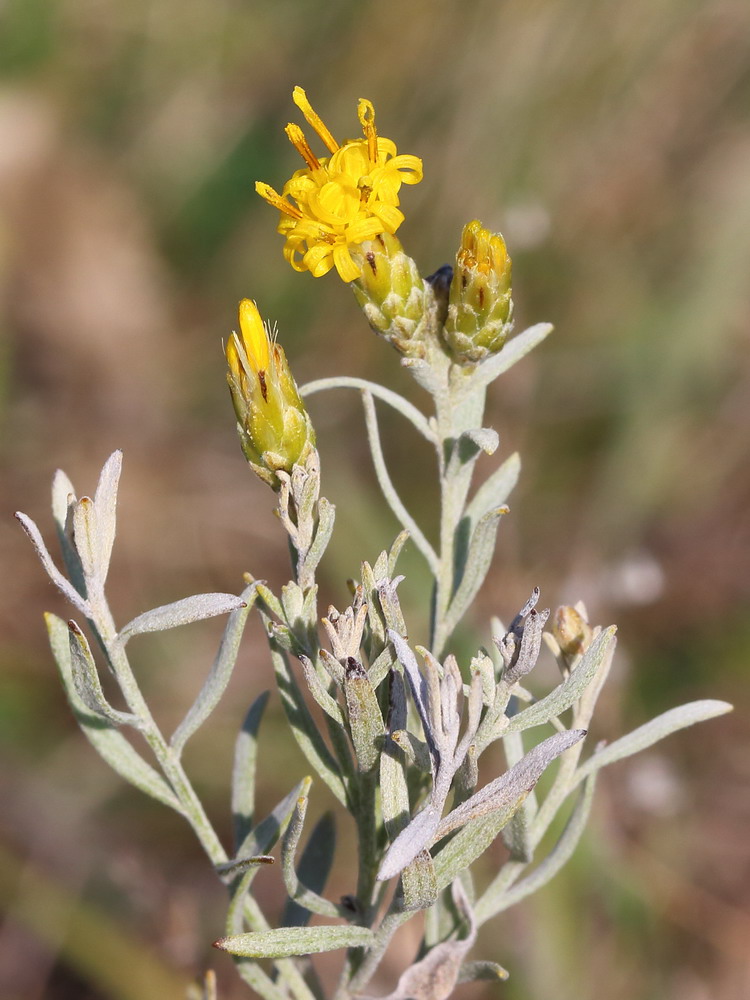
(395, 299)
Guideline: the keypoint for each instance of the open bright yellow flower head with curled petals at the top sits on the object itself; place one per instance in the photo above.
(339, 201)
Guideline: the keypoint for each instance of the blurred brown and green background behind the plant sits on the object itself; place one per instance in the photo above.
(610, 144)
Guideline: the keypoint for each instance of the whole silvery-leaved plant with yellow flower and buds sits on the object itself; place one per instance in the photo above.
(396, 741)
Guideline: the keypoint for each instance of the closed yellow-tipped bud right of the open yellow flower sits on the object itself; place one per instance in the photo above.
(480, 307)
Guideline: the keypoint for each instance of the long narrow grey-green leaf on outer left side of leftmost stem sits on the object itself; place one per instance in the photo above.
(106, 740)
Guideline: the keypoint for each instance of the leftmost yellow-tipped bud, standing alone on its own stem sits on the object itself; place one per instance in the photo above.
(274, 427)
